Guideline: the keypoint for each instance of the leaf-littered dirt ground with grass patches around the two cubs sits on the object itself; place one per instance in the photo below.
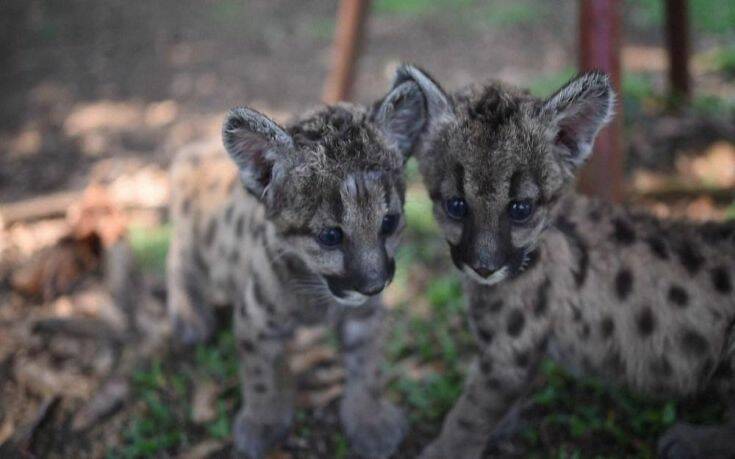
(107, 91)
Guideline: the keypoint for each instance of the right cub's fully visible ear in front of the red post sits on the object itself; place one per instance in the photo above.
(579, 110)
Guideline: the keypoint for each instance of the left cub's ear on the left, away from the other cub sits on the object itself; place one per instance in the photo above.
(256, 144)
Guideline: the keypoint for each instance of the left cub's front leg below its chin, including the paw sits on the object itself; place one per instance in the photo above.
(373, 425)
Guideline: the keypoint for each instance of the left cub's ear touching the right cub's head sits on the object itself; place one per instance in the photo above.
(402, 116)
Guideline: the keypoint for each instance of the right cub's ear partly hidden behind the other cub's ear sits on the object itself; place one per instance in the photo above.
(436, 102)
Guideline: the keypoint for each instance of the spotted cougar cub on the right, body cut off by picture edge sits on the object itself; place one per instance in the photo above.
(598, 288)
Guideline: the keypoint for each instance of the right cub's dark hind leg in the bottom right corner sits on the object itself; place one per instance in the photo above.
(688, 441)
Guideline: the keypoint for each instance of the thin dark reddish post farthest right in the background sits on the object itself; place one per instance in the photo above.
(677, 41)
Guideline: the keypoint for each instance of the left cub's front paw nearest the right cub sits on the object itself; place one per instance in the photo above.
(374, 428)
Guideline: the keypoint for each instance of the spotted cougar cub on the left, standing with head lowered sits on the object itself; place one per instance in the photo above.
(297, 225)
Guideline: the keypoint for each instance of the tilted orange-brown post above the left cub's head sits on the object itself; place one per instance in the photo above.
(351, 18)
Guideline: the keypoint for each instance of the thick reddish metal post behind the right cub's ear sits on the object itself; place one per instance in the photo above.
(599, 45)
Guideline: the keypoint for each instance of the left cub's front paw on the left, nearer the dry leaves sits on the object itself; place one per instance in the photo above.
(254, 438)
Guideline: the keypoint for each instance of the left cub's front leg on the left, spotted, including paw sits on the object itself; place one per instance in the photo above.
(265, 380)
